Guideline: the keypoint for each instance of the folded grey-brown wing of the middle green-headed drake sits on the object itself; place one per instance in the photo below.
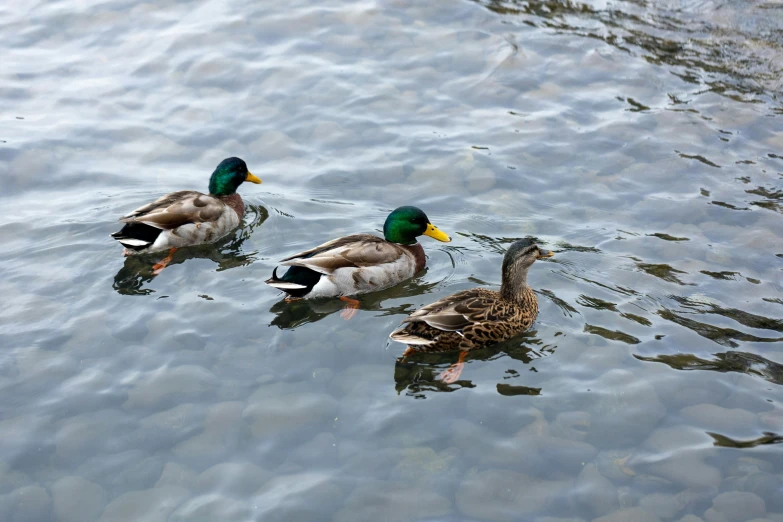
(355, 251)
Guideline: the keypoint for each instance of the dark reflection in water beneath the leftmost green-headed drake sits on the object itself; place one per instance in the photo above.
(227, 253)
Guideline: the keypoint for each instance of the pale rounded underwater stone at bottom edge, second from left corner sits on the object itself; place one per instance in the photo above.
(77, 500)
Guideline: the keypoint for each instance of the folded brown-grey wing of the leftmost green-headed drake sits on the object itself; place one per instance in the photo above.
(177, 209)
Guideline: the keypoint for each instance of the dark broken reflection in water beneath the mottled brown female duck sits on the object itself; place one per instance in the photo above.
(420, 374)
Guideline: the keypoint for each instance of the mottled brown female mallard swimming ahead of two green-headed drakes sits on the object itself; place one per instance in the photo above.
(478, 317)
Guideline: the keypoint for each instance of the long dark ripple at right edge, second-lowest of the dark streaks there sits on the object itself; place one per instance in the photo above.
(724, 362)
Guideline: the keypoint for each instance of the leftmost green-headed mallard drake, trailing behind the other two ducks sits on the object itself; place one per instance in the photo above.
(187, 217)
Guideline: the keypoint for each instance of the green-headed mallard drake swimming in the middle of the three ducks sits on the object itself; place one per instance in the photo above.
(359, 263)
